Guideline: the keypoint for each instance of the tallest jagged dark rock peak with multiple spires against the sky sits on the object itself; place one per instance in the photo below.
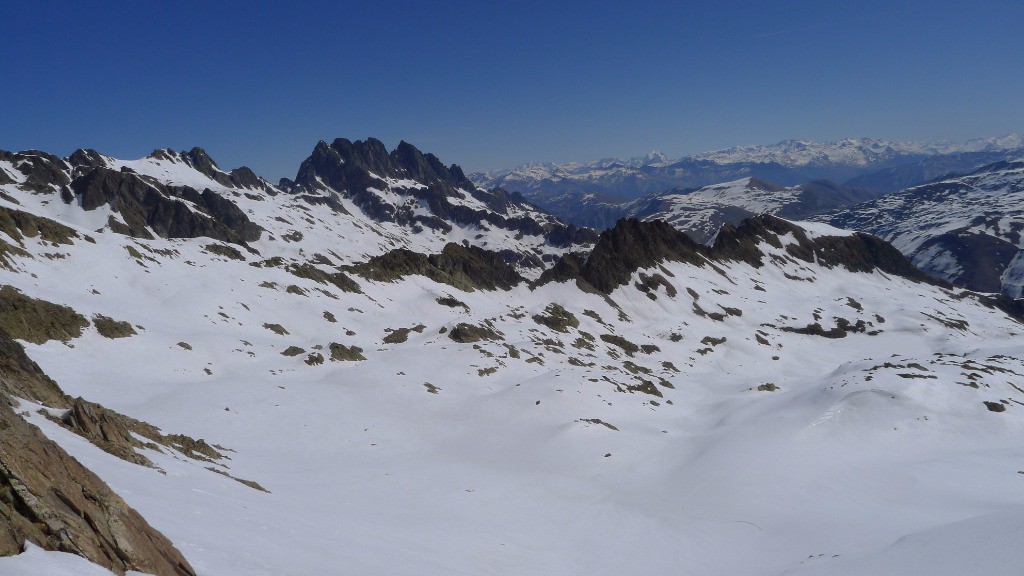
(355, 169)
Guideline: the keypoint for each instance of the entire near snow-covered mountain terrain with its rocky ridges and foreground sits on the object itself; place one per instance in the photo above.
(309, 379)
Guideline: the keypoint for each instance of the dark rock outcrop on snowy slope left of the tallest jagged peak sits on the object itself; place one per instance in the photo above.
(145, 203)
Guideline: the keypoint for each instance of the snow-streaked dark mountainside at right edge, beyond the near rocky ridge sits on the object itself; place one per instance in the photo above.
(964, 229)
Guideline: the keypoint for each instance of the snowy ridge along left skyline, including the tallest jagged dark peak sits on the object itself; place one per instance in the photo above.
(375, 201)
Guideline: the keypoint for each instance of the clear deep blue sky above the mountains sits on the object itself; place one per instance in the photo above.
(488, 86)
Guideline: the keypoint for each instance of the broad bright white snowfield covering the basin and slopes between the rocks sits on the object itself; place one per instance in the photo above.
(874, 457)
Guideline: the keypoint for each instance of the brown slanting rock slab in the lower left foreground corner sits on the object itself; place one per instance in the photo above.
(49, 499)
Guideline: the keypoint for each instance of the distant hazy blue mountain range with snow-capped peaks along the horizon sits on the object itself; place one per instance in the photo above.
(569, 190)
